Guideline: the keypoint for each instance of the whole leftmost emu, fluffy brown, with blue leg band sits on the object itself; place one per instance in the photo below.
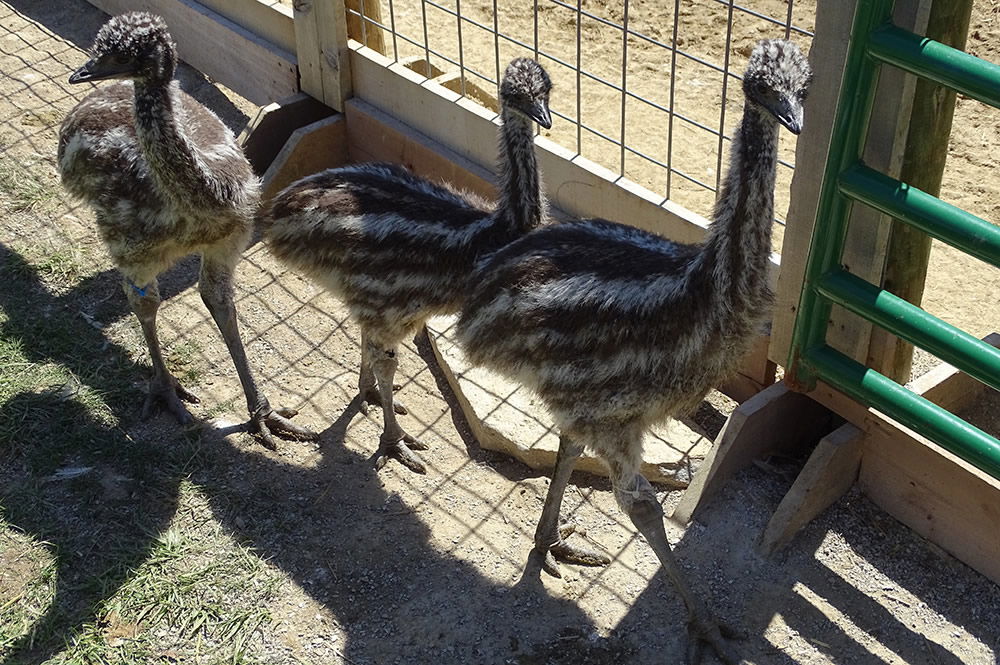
(165, 178)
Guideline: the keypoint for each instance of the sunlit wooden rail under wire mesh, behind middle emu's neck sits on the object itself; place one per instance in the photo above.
(574, 184)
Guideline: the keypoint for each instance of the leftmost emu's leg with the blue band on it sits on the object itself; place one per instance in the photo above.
(164, 389)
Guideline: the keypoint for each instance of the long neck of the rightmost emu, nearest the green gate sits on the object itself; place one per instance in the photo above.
(735, 257)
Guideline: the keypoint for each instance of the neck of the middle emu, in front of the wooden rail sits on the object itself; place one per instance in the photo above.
(520, 205)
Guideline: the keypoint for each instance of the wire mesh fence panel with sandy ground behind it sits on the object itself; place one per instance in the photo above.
(648, 90)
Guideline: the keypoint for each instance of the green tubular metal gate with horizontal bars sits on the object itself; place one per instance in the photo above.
(876, 42)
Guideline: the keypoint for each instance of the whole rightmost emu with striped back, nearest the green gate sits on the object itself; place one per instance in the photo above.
(616, 328)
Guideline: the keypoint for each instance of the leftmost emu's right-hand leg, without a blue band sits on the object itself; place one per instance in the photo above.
(215, 285)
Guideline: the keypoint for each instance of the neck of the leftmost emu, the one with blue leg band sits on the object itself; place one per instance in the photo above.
(169, 153)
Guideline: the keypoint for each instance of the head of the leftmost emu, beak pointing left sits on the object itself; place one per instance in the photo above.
(135, 45)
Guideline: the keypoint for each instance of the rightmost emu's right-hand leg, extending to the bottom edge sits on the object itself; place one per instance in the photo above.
(647, 515)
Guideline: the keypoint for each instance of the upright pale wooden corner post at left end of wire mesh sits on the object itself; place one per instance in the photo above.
(321, 47)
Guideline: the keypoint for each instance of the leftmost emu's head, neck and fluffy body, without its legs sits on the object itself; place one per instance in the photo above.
(163, 173)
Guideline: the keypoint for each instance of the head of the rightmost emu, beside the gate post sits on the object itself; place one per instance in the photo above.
(777, 80)
